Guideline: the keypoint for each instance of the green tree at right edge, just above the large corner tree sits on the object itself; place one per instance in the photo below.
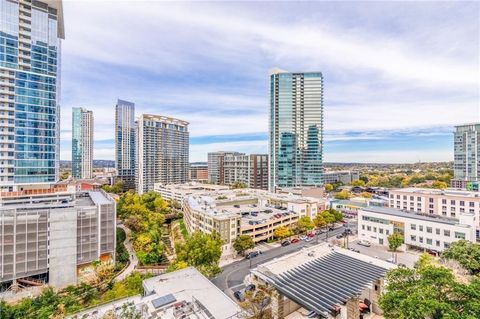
(467, 254)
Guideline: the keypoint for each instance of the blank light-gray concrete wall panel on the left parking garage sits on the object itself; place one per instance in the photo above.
(63, 247)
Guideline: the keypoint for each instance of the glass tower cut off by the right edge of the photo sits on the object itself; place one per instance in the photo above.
(466, 166)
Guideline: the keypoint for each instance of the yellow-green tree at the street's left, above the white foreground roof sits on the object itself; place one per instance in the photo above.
(202, 251)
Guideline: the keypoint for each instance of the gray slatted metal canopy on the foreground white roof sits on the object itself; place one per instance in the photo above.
(322, 284)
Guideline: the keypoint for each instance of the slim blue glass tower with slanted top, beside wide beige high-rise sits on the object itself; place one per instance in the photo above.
(125, 146)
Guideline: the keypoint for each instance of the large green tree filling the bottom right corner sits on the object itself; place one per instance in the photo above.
(429, 291)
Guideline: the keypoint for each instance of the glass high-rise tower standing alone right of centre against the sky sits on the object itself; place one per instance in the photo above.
(296, 129)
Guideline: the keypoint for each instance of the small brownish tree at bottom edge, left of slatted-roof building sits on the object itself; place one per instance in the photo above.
(256, 304)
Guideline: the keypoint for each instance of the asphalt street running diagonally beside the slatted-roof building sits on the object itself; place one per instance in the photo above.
(232, 275)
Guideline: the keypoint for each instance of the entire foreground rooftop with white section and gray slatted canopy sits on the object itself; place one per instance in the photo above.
(338, 274)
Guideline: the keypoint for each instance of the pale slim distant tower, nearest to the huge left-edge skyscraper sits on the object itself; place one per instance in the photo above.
(82, 143)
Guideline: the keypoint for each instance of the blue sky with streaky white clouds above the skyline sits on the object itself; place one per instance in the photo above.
(397, 75)
